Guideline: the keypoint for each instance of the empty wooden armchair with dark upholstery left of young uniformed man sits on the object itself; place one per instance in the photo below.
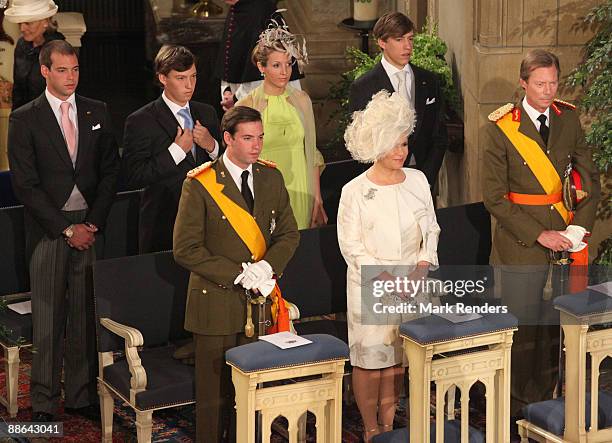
(140, 308)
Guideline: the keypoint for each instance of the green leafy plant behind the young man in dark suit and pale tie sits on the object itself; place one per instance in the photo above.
(428, 53)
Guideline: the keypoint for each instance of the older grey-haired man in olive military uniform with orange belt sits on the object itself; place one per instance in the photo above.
(532, 145)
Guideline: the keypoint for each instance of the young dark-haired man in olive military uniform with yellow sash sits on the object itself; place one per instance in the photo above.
(234, 225)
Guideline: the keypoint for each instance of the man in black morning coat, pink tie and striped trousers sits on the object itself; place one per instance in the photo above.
(64, 164)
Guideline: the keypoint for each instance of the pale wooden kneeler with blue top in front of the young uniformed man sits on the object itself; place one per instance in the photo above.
(316, 371)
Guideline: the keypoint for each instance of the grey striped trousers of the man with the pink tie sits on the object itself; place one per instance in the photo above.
(63, 323)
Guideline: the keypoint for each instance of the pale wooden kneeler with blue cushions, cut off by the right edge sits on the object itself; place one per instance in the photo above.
(583, 415)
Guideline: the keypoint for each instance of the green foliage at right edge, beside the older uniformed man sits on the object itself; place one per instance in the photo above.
(594, 75)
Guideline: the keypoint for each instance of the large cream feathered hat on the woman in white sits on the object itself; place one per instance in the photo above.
(374, 131)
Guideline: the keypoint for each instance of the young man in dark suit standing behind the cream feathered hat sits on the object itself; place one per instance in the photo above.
(427, 144)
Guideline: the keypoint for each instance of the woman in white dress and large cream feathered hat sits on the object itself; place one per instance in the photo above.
(386, 218)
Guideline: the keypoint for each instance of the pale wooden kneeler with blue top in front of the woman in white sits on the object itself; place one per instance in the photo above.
(431, 344)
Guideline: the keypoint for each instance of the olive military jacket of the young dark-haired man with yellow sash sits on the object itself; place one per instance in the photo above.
(207, 245)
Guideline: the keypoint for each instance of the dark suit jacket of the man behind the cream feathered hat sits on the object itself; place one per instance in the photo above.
(429, 141)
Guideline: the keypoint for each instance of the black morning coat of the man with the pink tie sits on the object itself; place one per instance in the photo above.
(43, 175)
